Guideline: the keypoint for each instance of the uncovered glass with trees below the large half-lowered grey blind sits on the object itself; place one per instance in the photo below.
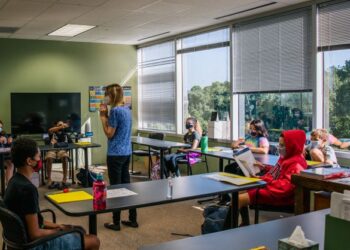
(278, 111)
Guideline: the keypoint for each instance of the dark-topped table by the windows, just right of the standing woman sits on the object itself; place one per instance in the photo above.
(158, 144)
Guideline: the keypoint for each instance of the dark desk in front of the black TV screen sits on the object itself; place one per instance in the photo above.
(70, 147)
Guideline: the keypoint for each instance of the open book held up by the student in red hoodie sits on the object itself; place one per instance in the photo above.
(246, 161)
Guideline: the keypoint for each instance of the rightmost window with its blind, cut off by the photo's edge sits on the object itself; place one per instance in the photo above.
(334, 45)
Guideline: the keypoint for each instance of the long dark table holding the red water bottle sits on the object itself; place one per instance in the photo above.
(151, 193)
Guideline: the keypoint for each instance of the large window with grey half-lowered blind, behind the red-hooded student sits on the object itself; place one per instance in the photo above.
(272, 76)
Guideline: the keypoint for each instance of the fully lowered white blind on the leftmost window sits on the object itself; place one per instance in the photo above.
(156, 82)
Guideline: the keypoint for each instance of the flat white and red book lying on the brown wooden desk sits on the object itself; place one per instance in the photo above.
(325, 173)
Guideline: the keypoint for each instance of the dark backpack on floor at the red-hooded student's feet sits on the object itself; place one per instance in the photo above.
(214, 219)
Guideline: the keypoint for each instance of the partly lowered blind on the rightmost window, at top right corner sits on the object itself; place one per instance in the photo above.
(334, 24)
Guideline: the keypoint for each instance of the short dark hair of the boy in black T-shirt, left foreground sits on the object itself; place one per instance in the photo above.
(21, 150)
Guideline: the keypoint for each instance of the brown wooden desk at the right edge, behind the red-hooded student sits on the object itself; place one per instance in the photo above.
(304, 185)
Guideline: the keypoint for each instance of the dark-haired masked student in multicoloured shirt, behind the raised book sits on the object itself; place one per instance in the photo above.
(256, 140)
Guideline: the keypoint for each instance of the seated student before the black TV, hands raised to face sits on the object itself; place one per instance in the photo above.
(57, 135)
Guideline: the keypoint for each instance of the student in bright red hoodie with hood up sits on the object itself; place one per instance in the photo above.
(279, 190)
